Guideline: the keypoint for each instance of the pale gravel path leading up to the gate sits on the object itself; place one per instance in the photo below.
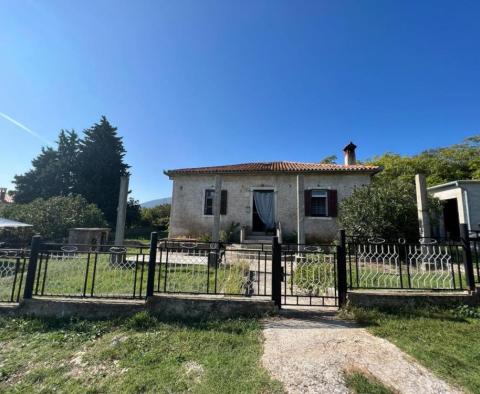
(309, 353)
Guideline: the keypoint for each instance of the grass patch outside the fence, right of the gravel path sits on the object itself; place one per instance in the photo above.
(445, 340)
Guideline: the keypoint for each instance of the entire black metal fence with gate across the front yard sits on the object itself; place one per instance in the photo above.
(290, 274)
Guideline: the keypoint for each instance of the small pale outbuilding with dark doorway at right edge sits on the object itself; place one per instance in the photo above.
(461, 205)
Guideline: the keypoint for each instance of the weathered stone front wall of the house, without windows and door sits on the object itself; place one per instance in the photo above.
(188, 219)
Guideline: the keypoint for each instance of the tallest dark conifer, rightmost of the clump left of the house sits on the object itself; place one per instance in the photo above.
(100, 166)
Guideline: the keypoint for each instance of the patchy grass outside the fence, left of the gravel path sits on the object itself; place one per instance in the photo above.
(135, 355)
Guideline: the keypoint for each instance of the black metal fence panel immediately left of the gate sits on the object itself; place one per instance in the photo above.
(213, 268)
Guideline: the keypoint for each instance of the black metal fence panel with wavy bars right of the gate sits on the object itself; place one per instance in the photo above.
(427, 265)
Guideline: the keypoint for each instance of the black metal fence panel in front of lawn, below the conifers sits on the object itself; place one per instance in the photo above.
(83, 271)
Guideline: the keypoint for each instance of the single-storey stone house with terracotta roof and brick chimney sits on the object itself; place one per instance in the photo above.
(263, 198)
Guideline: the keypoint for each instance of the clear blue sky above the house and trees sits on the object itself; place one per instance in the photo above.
(193, 83)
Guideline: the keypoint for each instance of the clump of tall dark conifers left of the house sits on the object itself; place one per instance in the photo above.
(91, 167)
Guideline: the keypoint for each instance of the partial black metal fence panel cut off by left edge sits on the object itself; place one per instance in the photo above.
(13, 263)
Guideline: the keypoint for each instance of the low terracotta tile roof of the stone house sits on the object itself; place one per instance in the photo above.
(275, 167)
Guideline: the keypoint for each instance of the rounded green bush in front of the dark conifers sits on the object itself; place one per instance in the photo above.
(53, 217)
